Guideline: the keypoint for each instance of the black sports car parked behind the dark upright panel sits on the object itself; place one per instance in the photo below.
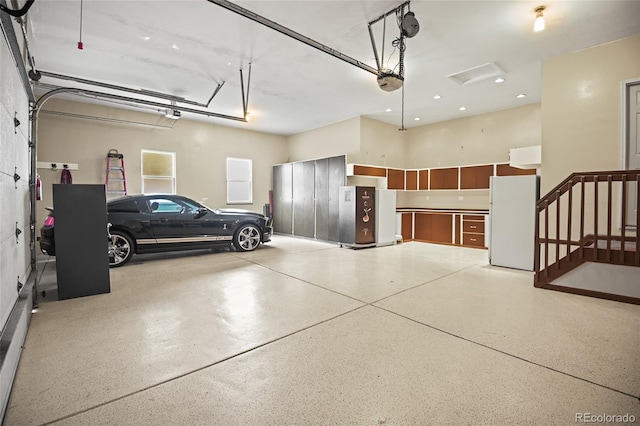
(156, 223)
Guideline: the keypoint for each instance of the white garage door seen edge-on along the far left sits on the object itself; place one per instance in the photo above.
(14, 210)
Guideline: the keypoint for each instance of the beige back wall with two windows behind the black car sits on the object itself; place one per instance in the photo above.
(201, 151)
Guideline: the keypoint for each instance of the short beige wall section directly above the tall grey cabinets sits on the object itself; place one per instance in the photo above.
(342, 138)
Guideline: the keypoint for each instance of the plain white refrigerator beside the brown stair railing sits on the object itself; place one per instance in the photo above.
(512, 215)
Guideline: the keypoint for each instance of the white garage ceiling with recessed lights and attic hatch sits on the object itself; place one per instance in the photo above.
(194, 45)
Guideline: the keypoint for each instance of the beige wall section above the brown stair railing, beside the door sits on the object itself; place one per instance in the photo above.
(582, 107)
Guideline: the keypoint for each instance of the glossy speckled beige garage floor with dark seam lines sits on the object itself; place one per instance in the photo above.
(301, 332)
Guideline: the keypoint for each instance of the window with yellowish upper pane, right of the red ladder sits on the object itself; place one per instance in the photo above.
(158, 172)
